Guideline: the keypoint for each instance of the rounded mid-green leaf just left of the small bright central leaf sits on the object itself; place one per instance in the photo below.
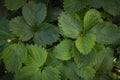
(63, 50)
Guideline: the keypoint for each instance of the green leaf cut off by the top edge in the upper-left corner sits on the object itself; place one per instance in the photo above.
(14, 4)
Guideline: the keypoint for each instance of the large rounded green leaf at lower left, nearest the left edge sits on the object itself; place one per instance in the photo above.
(13, 56)
